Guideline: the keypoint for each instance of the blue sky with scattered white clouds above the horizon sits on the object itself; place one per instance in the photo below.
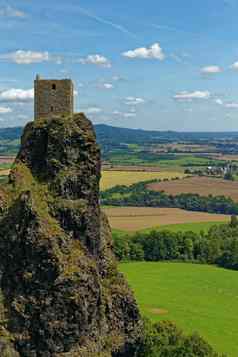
(164, 65)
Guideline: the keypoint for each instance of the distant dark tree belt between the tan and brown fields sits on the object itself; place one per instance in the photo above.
(139, 195)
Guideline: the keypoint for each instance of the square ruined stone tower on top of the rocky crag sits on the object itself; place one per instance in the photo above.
(53, 96)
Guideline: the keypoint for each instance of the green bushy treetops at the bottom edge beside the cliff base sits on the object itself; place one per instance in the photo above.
(165, 339)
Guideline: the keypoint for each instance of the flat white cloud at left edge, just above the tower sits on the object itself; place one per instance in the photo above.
(25, 57)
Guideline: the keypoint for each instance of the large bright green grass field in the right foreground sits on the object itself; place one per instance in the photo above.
(197, 297)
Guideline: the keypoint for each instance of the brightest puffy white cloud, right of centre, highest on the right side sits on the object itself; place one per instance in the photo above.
(152, 52)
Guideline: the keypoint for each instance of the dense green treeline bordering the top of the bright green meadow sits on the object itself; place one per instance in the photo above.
(218, 246)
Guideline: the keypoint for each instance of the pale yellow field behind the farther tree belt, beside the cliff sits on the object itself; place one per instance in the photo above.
(127, 178)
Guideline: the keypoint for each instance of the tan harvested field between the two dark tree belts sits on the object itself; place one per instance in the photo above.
(137, 218)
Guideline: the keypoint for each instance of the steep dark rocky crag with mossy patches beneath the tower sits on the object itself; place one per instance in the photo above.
(61, 292)
